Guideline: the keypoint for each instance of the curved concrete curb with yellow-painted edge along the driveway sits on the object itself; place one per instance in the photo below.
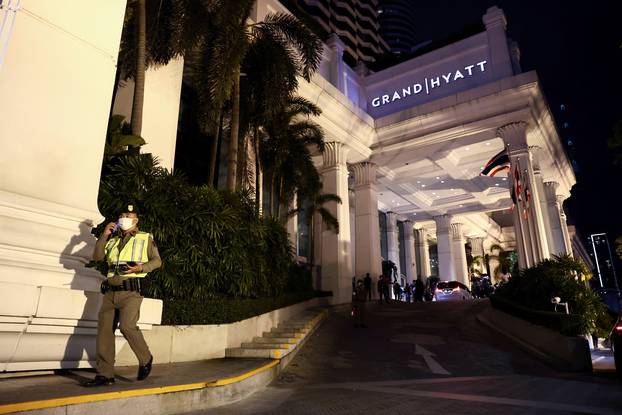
(167, 400)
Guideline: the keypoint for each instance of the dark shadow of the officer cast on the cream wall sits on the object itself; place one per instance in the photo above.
(85, 298)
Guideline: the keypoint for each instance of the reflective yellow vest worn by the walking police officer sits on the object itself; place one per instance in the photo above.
(134, 250)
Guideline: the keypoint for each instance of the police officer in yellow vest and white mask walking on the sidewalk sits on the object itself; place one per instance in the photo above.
(131, 254)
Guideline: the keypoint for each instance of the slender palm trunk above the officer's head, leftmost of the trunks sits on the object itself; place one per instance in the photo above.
(139, 76)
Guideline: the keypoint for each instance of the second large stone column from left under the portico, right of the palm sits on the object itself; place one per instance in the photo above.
(367, 244)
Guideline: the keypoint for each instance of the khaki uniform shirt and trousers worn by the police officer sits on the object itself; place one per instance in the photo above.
(122, 309)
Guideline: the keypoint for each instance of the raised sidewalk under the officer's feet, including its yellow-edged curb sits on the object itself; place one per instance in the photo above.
(197, 385)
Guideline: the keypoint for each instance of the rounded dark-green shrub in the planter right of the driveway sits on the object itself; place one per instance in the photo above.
(564, 277)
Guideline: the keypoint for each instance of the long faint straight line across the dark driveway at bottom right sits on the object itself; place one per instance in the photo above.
(486, 399)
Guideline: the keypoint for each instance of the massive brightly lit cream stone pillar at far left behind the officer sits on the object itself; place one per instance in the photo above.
(57, 83)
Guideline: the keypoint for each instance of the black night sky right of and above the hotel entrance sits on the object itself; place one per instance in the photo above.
(574, 47)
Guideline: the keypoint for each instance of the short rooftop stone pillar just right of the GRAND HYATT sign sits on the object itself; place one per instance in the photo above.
(501, 63)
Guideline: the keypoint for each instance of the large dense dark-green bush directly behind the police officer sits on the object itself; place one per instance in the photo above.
(212, 242)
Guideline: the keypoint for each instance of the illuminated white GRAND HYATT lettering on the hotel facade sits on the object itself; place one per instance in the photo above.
(429, 84)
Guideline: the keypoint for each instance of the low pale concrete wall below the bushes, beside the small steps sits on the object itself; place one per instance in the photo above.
(171, 344)
